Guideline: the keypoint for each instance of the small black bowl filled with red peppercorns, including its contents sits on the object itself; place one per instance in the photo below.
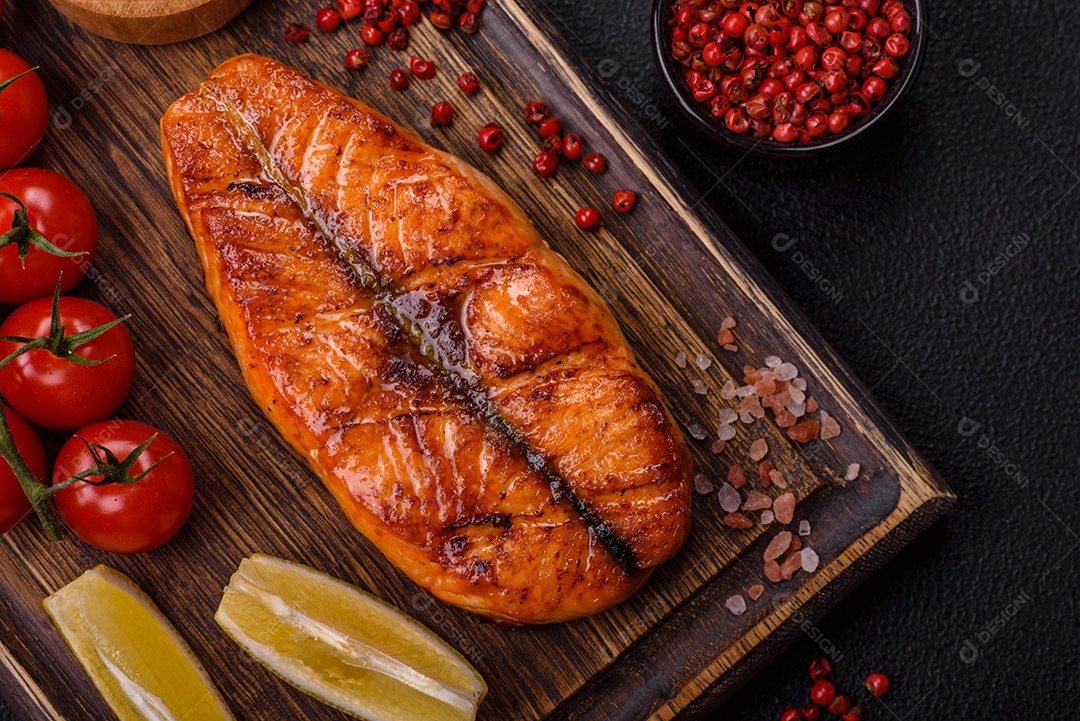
(789, 78)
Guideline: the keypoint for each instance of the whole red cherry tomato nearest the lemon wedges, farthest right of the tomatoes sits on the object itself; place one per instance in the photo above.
(126, 519)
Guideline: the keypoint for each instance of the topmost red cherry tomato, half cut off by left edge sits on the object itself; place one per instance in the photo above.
(24, 112)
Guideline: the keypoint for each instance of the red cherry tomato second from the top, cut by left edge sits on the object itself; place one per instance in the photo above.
(62, 213)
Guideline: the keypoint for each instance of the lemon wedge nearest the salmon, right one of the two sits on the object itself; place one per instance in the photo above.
(345, 647)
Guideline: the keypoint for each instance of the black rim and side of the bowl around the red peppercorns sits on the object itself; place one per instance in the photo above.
(672, 73)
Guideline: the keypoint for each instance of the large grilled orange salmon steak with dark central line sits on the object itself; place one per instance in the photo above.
(462, 391)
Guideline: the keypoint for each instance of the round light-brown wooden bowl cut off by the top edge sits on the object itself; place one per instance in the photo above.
(151, 22)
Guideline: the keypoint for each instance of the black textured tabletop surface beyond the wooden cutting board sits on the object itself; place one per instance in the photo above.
(899, 225)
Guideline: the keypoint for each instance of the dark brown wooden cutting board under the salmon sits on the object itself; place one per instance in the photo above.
(671, 270)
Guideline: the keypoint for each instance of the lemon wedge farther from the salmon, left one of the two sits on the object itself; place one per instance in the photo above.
(136, 658)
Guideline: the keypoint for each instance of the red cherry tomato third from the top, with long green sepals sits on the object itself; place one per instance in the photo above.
(59, 393)
